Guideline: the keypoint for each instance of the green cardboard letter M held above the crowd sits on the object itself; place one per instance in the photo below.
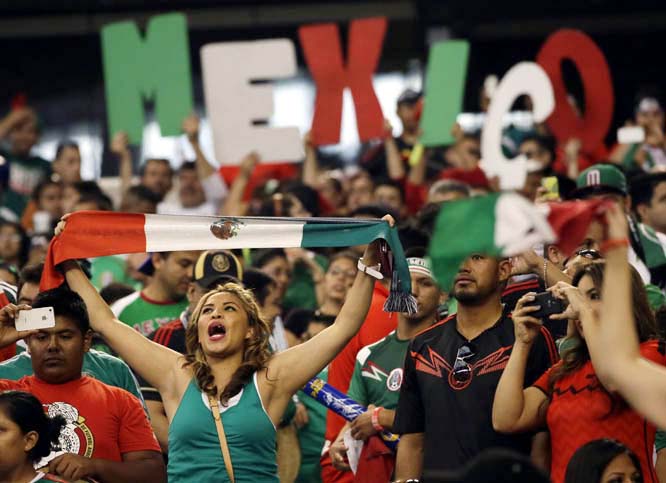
(157, 68)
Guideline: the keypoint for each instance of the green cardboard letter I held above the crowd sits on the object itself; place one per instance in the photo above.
(445, 86)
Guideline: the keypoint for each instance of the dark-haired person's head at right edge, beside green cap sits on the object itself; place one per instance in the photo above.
(648, 200)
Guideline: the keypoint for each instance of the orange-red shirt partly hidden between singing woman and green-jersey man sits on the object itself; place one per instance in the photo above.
(378, 324)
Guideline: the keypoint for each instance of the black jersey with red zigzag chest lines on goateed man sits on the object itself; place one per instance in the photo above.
(456, 417)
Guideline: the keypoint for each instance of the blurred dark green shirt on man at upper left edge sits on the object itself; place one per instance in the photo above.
(25, 173)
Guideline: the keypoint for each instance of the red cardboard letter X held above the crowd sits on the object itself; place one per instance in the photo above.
(323, 54)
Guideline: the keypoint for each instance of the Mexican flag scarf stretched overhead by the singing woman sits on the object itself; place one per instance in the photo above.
(100, 233)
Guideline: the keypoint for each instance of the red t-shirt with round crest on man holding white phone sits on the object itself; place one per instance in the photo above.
(102, 421)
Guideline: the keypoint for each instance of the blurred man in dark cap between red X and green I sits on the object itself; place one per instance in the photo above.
(391, 157)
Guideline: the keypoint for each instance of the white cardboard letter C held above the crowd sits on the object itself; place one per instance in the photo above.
(523, 78)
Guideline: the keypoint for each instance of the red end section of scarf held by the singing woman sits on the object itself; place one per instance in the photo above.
(93, 234)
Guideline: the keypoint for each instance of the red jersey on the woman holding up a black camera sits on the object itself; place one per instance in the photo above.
(581, 411)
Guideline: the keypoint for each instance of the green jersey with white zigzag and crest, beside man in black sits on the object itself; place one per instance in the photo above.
(378, 372)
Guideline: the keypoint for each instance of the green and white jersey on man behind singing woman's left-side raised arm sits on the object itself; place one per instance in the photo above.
(146, 315)
